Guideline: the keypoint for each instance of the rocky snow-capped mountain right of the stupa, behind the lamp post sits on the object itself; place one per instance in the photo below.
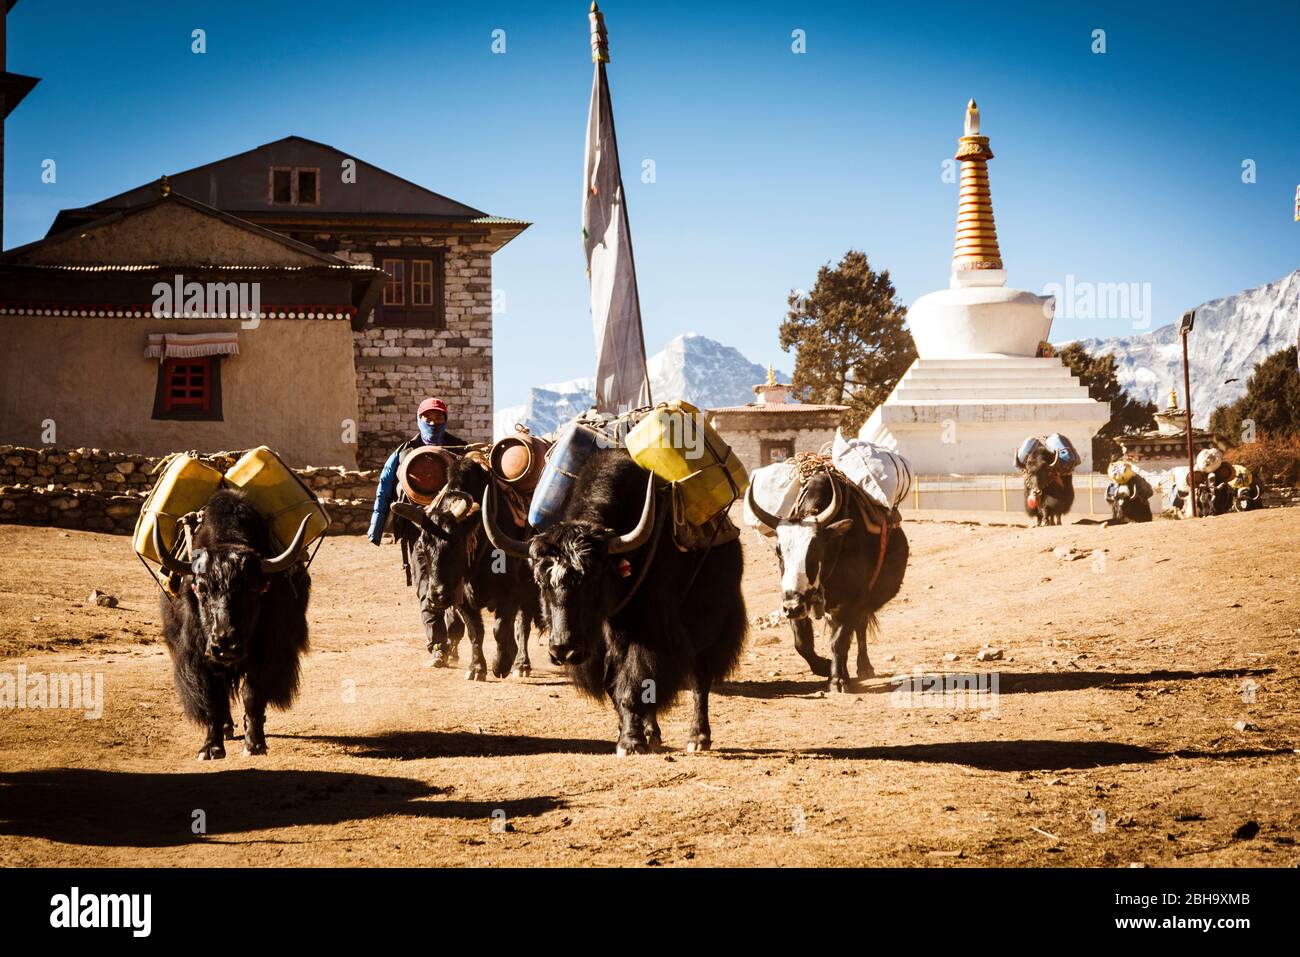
(1230, 339)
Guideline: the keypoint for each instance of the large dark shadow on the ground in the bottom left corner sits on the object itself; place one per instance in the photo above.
(88, 807)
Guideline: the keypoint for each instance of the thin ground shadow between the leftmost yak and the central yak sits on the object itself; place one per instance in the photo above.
(415, 746)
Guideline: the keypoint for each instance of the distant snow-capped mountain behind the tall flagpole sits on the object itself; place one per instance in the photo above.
(691, 367)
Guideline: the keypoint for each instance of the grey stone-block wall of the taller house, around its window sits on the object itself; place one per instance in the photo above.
(398, 366)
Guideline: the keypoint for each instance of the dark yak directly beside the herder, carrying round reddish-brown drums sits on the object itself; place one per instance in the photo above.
(458, 569)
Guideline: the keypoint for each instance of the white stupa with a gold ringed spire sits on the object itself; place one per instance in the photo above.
(978, 387)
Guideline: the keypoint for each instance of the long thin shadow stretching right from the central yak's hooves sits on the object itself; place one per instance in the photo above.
(1013, 755)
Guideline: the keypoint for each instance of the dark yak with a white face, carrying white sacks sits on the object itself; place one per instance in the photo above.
(838, 557)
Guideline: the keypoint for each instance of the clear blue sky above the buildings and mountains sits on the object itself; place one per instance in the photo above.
(1117, 167)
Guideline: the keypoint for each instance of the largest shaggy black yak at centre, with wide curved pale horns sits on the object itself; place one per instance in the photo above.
(632, 617)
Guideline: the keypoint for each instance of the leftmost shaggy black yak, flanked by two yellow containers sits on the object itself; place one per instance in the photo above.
(239, 625)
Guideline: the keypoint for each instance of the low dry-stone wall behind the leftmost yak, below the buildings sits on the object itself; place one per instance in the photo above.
(99, 491)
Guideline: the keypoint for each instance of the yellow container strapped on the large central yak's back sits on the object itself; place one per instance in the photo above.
(677, 444)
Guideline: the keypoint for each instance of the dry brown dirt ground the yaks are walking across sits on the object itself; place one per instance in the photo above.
(1145, 713)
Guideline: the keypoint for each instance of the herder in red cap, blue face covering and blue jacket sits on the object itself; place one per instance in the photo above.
(443, 629)
